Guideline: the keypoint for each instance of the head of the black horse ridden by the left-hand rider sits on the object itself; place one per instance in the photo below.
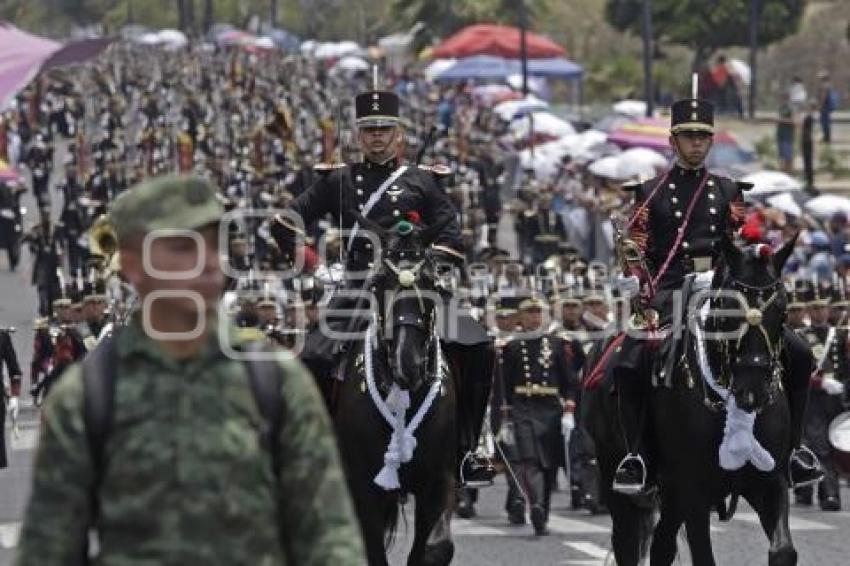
(404, 284)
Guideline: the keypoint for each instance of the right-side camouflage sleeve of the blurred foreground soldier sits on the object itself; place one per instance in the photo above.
(318, 521)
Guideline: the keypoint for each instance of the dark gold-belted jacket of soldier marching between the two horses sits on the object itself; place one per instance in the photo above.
(538, 379)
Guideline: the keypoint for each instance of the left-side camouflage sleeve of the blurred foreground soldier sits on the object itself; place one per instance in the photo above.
(59, 509)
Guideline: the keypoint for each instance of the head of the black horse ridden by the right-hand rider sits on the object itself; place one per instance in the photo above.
(751, 283)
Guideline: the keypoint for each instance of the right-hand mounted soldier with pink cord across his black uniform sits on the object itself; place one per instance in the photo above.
(679, 219)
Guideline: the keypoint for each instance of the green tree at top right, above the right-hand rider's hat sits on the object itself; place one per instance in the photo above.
(707, 26)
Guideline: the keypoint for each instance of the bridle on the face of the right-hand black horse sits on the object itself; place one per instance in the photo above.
(754, 317)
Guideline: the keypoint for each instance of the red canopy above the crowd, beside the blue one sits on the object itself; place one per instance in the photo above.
(501, 41)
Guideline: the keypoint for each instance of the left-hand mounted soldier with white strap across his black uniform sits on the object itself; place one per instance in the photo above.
(383, 191)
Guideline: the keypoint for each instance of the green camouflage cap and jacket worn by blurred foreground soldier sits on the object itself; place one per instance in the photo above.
(186, 479)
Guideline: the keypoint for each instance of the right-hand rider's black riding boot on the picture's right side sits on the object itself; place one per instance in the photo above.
(803, 466)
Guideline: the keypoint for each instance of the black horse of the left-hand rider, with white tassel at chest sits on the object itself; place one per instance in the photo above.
(407, 357)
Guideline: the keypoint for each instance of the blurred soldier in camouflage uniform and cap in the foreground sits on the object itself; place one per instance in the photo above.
(156, 440)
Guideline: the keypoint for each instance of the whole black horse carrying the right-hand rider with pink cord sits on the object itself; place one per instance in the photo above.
(743, 354)
